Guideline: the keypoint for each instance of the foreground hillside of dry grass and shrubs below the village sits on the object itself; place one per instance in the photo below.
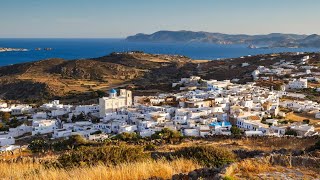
(218, 157)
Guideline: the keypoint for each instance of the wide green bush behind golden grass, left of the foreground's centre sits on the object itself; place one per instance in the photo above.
(109, 155)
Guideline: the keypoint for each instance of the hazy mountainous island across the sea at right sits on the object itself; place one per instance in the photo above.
(272, 40)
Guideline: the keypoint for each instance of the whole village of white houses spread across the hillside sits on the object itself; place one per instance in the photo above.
(199, 108)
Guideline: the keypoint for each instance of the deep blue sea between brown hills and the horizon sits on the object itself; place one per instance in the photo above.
(89, 48)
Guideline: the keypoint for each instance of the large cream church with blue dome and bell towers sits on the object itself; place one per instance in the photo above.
(114, 103)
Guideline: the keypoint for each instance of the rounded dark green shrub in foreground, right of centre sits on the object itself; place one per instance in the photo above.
(206, 155)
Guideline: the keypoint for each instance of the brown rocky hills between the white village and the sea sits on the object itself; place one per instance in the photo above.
(144, 73)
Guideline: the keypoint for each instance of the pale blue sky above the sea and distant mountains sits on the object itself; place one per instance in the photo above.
(120, 18)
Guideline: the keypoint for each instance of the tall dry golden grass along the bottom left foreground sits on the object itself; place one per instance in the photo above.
(129, 171)
